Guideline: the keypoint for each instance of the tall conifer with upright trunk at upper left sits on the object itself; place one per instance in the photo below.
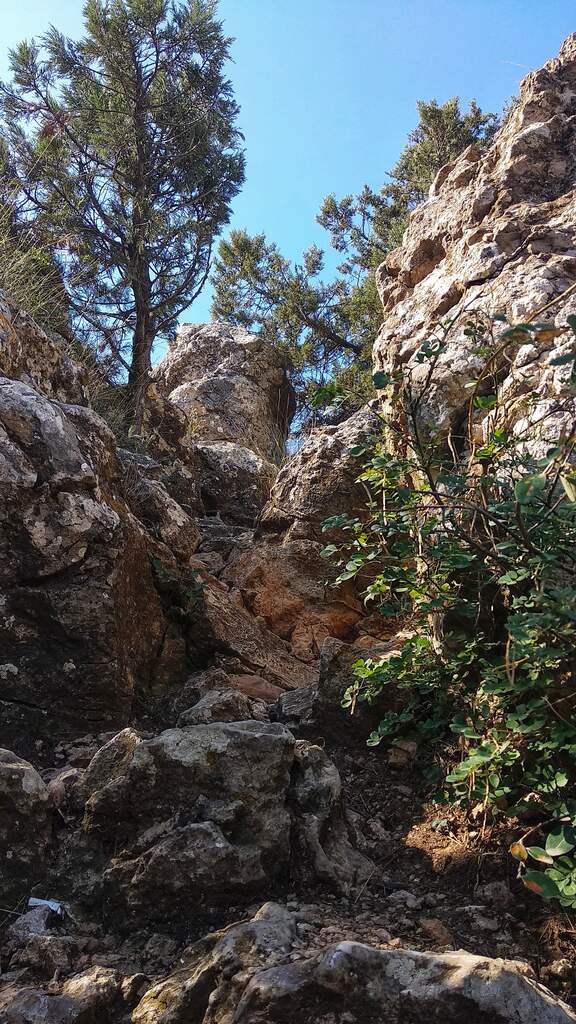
(127, 153)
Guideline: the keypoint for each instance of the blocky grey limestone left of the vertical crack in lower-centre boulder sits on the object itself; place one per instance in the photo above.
(199, 817)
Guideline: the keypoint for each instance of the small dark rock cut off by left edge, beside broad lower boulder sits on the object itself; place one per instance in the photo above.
(26, 828)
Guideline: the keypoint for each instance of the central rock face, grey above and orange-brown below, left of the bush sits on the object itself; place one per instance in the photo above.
(282, 577)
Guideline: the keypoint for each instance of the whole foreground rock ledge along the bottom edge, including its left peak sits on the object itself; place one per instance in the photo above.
(246, 975)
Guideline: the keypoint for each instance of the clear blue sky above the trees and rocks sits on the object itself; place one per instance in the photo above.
(328, 89)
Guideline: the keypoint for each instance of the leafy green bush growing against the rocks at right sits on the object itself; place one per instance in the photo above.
(473, 546)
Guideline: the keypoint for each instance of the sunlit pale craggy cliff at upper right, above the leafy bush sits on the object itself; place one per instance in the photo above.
(499, 237)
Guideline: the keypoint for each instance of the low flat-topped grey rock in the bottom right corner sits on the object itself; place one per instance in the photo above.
(358, 979)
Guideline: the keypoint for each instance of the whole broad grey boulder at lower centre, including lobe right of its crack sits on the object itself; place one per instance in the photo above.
(179, 828)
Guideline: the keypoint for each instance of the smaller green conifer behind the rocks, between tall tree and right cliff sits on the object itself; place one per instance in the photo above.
(330, 327)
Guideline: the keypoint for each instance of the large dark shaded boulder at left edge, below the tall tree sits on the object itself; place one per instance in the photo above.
(83, 625)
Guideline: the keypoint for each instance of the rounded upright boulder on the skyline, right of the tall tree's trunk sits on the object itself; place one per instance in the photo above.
(234, 393)
